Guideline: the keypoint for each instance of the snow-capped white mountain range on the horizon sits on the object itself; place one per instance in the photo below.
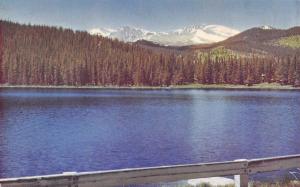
(180, 37)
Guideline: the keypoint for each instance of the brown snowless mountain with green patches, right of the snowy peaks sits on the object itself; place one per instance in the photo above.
(259, 40)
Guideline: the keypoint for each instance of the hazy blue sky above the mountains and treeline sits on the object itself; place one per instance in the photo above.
(154, 15)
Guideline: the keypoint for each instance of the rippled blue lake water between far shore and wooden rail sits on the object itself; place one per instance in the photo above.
(46, 131)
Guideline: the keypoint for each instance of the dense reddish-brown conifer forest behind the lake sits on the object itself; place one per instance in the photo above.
(41, 55)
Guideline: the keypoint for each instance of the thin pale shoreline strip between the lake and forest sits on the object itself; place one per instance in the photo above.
(262, 86)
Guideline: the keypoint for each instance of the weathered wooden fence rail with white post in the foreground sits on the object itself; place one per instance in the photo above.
(239, 168)
